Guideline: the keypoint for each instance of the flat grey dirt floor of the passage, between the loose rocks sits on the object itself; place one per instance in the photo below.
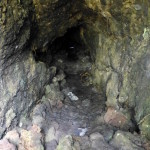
(82, 114)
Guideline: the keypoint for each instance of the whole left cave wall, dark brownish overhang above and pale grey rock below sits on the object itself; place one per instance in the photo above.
(27, 27)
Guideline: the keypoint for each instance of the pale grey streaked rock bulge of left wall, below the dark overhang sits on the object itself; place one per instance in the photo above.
(23, 82)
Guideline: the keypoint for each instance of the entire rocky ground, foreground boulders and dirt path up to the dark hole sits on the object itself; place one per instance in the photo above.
(72, 116)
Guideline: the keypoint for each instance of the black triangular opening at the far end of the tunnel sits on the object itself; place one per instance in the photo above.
(67, 53)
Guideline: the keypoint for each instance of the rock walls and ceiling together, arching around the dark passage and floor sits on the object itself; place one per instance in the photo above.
(116, 34)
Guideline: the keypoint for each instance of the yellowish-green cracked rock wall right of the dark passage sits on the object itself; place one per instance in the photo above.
(120, 52)
